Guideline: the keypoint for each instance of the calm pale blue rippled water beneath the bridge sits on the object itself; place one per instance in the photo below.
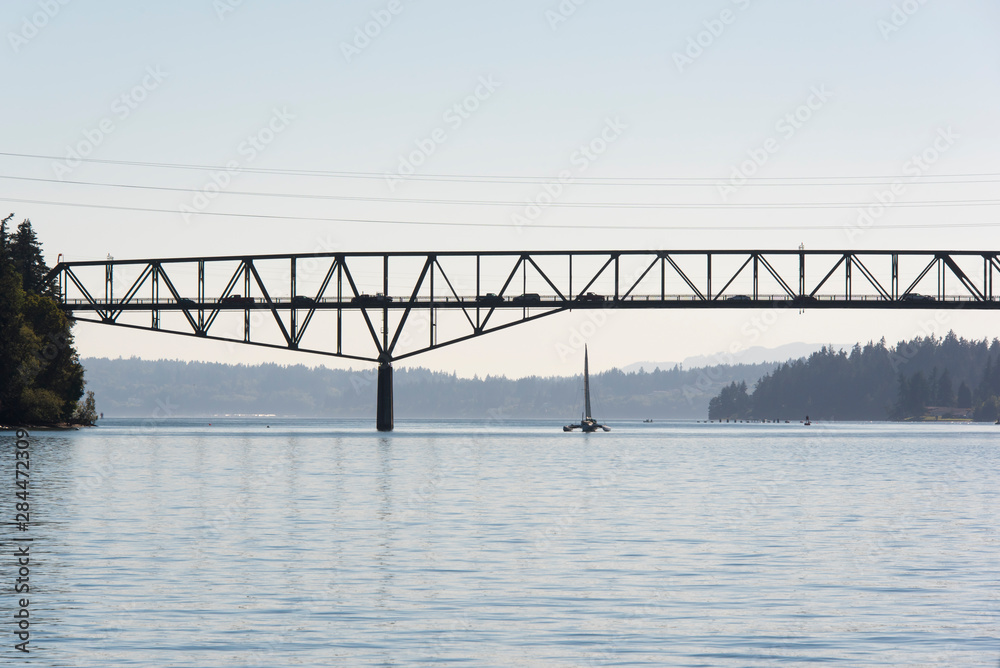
(321, 543)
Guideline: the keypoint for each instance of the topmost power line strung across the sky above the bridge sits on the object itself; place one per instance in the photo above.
(605, 181)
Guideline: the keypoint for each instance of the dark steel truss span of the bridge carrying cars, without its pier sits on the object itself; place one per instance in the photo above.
(581, 280)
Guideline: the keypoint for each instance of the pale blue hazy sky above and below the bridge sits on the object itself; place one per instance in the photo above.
(716, 90)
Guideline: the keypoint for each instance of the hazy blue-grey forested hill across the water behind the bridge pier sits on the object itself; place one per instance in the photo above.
(141, 388)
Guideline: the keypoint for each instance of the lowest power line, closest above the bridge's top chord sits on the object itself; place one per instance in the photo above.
(501, 226)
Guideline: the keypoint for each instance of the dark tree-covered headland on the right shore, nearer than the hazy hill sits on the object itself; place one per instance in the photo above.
(875, 382)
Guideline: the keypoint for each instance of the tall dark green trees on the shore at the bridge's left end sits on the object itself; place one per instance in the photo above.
(41, 378)
